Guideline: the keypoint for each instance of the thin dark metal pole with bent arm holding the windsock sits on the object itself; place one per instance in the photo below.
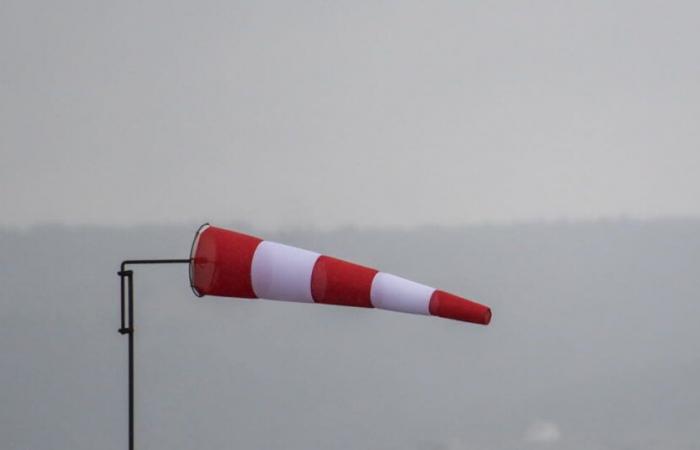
(129, 275)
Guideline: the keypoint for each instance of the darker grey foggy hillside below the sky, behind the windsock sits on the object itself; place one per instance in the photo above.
(593, 344)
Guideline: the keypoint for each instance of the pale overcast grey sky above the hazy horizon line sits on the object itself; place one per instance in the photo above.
(329, 113)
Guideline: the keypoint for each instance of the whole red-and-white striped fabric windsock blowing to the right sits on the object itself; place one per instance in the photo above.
(231, 264)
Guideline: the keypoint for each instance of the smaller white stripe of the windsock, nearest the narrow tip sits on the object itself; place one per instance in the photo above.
(399, 294)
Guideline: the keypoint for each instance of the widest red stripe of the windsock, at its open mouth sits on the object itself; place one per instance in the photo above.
(222, 261)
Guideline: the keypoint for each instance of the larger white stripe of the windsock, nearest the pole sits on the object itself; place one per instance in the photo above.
(282, 272)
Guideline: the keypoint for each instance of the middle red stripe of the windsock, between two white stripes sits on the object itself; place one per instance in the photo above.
(339, 282)
